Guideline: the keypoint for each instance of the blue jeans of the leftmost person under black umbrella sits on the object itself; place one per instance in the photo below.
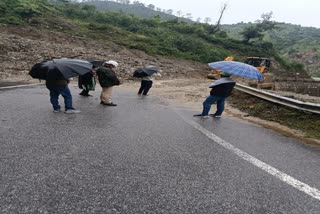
(55, 91)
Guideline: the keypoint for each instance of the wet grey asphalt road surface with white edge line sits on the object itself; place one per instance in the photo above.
(145, 156)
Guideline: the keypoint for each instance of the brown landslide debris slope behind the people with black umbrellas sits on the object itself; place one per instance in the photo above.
(20, 48)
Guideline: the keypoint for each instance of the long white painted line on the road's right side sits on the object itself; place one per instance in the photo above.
(313, 192)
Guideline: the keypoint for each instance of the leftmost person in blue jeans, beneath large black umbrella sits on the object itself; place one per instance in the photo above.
(58, 85)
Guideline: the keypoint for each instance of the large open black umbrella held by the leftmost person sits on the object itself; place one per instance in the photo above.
(57, 68)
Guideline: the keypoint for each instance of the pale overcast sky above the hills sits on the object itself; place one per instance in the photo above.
(302, 12)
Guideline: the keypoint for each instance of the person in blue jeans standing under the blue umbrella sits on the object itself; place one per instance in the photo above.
(221, 89)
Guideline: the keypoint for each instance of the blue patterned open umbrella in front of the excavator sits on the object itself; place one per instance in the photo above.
(238, 69)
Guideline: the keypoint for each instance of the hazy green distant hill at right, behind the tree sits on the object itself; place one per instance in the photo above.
(301, 44)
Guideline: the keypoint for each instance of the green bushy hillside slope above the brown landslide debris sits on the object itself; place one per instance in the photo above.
(201, 42)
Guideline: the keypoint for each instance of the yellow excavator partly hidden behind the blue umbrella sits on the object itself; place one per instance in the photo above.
(261, 63)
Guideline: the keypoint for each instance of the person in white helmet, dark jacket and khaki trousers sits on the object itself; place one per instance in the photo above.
(107, 79)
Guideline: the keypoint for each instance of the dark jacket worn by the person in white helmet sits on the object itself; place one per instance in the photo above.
(107, 77)
